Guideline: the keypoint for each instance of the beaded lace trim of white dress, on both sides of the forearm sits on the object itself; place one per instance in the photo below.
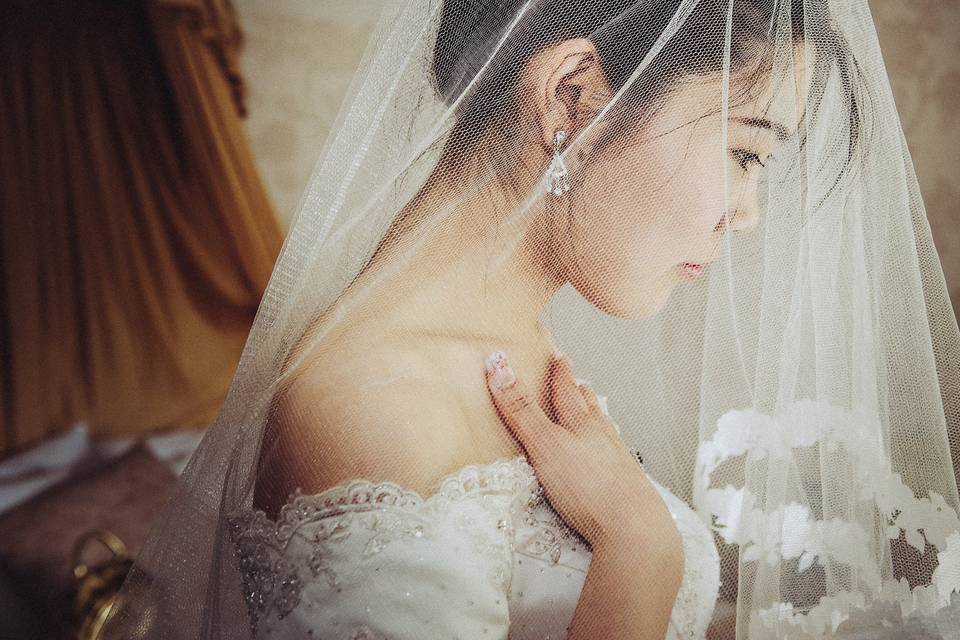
(386, 512)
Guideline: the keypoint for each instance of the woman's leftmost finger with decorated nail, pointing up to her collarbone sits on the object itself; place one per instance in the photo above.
(518, 410)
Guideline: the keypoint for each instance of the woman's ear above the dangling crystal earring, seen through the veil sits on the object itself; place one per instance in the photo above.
(566, 86)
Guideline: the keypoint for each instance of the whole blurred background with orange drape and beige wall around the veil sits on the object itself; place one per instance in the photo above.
(152, 155)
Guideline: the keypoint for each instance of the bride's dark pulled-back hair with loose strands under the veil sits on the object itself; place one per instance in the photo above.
(623, 32)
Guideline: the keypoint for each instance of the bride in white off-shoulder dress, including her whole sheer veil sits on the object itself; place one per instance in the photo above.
(407, 453)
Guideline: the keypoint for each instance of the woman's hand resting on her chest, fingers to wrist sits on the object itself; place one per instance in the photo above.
(591, 479)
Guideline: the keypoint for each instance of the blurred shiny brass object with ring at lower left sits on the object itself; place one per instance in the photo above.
(97, 586)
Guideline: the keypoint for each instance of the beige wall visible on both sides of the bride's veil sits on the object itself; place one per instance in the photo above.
(300, 56)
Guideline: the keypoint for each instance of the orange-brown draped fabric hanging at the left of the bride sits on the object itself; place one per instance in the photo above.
(137, 237)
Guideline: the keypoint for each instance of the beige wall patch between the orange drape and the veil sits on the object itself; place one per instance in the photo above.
(298, 60)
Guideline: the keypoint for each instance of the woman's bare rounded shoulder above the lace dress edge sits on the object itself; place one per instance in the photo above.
(361, 413)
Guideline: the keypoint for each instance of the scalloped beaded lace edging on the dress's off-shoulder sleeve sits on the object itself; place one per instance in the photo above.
(385, 510)
